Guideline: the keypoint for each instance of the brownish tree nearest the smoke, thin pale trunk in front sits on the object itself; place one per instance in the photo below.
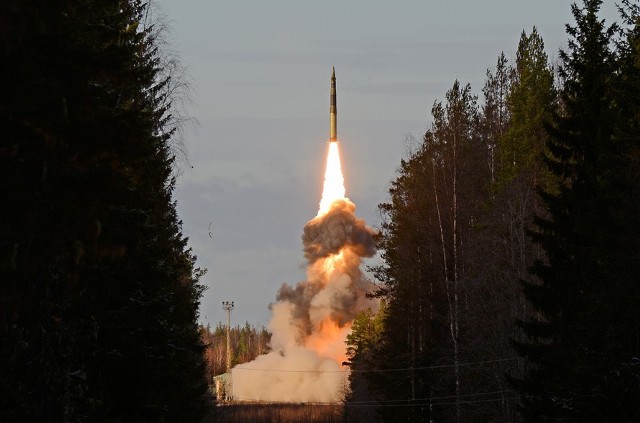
(424, 242)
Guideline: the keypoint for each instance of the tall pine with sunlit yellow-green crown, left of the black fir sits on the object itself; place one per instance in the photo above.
(502, 249)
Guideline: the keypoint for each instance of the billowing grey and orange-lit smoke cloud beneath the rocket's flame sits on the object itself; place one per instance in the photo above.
(310, 321)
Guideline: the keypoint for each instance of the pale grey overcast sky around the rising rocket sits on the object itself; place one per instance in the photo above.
(259, 74)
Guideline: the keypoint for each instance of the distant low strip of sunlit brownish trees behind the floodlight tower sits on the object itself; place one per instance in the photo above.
(247, 342)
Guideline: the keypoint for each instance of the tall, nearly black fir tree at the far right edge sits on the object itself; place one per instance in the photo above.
(582, 354)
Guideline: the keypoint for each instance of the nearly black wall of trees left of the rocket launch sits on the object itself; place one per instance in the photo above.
(98, 291)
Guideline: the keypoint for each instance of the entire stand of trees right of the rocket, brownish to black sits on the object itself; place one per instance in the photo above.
(511, 245)
